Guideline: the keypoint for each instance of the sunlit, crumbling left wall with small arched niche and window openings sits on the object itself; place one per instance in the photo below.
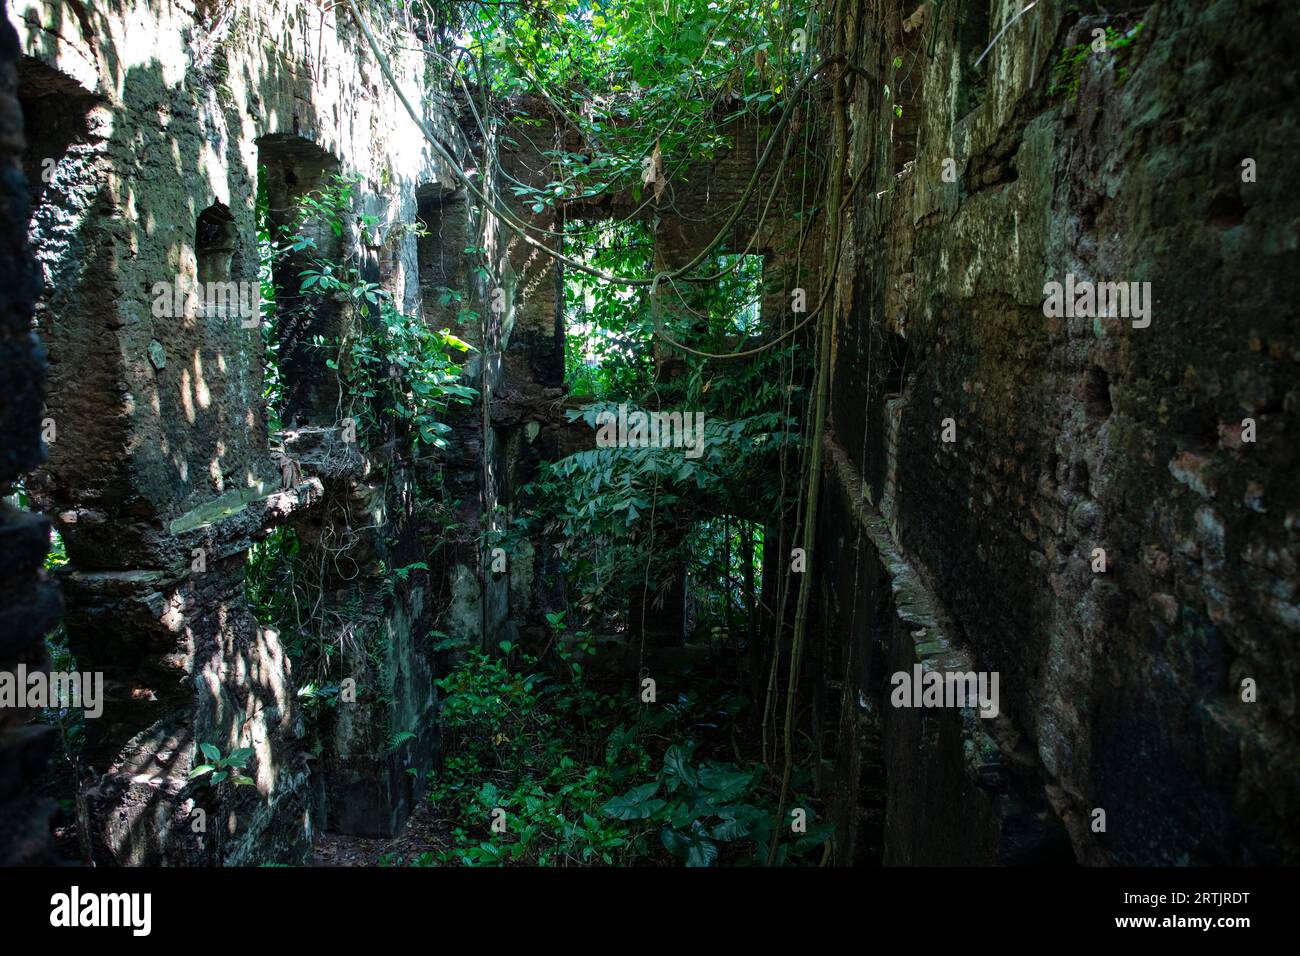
(150, 126)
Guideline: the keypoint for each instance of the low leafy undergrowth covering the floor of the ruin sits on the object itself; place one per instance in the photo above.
(564, 760)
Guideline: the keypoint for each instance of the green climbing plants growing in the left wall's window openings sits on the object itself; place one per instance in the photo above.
(398, 382)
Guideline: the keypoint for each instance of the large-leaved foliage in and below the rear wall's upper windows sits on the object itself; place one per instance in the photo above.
(603, 508)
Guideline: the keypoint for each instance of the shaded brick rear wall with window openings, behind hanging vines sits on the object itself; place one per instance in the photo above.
(528, 393)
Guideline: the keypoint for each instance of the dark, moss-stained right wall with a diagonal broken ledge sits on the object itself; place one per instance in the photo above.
(1121, 690)
